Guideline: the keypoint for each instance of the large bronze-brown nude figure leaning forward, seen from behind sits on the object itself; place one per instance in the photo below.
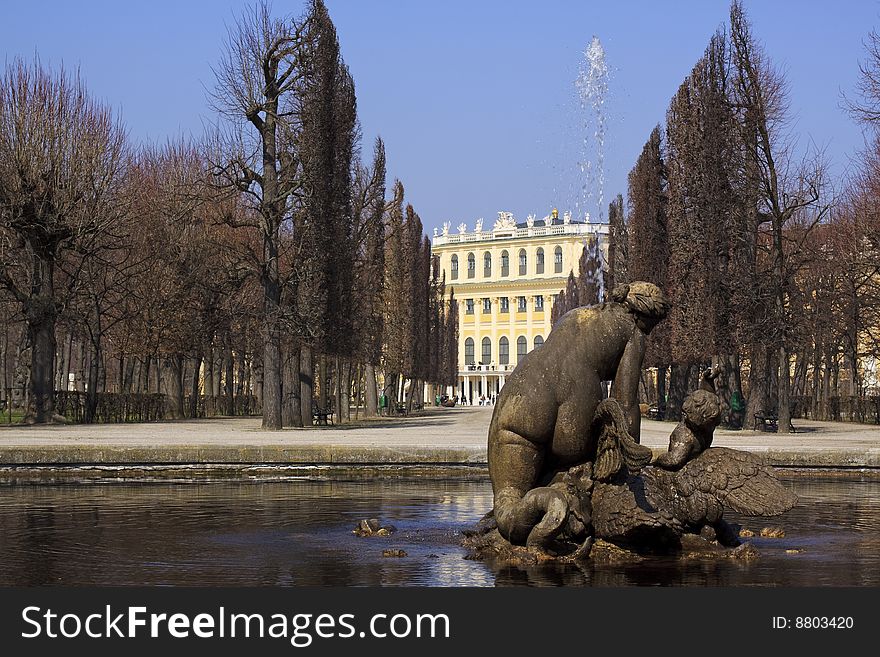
(545, 418)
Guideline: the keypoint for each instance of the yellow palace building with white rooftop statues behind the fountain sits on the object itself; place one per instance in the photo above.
(506, 280)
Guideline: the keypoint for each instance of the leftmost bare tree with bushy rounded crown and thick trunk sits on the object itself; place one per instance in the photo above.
(61, 156)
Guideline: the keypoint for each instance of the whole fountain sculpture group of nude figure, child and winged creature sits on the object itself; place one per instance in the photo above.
(567, 468)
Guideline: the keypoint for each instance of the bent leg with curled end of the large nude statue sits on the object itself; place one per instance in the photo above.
(525, 515)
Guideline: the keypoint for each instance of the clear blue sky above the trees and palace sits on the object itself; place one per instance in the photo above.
(475, 100)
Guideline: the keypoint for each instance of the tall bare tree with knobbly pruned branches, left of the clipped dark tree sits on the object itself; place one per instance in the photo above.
(259, 80)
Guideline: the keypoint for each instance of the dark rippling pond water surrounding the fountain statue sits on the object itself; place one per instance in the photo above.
(298, 532)
